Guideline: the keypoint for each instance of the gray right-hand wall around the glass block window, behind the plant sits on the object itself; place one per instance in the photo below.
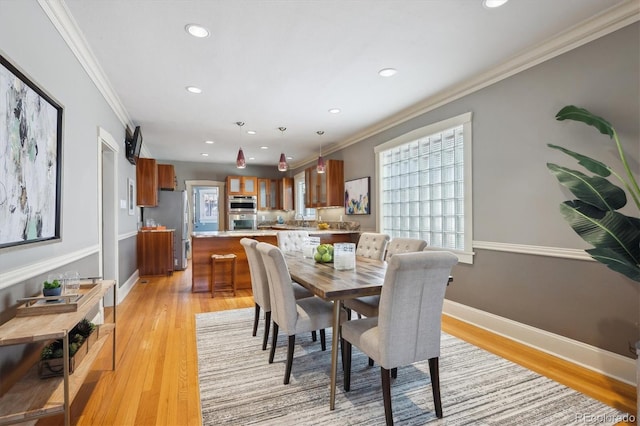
(516, 199)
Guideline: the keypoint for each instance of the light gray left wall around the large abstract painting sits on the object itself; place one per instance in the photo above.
(30, 41)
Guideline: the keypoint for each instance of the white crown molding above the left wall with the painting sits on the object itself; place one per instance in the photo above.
(60, 16)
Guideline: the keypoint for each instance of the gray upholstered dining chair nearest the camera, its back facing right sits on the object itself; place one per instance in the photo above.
(408, 326)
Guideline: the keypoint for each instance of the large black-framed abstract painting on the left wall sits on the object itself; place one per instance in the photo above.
(30, 160)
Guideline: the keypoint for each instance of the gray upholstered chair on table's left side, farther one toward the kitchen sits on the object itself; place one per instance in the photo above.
(260, 287)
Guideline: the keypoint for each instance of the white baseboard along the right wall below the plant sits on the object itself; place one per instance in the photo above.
(608, 363)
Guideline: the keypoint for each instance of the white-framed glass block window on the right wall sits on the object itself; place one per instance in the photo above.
(424, 186)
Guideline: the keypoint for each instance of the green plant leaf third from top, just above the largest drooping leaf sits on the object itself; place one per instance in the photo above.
(597, 191)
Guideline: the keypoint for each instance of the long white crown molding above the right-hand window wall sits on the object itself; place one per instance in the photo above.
(597, 26)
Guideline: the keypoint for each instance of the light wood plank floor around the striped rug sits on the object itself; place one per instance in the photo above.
(156, 377)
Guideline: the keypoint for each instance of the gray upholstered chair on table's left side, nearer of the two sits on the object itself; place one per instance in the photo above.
(291, 315)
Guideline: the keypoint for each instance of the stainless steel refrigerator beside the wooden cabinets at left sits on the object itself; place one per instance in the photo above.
(173, 212)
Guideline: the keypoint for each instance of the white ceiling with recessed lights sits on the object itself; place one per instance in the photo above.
(272, 63)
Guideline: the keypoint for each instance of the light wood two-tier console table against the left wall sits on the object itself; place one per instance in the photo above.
(31, 397)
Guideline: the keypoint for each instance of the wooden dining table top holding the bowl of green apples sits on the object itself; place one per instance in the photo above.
(323, 280)
